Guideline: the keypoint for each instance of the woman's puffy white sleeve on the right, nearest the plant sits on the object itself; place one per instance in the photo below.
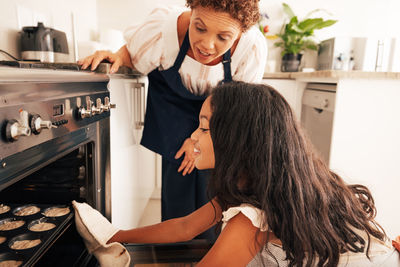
(254, 57)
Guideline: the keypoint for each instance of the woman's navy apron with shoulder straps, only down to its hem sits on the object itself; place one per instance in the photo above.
(172, 111)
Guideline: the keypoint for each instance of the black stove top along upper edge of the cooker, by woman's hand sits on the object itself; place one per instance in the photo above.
(103, 68)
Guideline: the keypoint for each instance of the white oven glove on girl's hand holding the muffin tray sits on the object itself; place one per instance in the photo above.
(96, 230)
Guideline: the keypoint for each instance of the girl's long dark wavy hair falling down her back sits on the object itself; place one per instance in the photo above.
(263, 158)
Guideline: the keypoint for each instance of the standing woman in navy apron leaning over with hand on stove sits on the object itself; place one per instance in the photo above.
(186, 53)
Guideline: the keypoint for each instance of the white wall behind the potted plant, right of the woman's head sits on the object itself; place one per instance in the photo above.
(356, 18)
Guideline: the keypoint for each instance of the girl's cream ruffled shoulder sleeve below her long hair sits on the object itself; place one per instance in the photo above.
(255, 215)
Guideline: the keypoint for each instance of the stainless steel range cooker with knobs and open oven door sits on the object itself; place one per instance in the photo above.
(55, 148)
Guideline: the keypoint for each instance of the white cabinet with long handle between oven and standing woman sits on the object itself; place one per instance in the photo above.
(133, 167)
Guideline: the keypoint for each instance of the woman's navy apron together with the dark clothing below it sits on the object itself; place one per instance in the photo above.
(172, 114)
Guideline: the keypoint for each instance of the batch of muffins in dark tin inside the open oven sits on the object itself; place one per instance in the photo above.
(24, 230)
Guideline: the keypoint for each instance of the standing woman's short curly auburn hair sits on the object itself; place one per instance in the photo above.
(245, 11)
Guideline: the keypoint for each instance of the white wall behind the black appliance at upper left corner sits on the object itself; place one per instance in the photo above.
(54, 13)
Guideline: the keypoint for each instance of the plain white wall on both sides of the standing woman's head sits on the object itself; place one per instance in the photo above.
(356, 18)
